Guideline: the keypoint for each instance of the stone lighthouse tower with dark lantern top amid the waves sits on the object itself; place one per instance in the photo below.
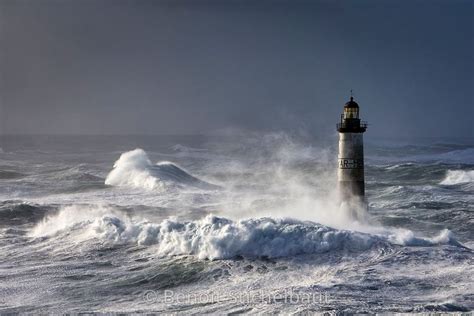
(351, 152)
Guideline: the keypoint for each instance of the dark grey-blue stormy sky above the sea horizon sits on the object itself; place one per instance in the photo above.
(184, 67)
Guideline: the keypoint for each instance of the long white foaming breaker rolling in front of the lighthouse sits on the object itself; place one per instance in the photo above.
(220, 238)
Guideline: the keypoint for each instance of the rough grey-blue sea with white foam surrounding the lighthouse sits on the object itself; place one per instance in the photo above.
(249, 223)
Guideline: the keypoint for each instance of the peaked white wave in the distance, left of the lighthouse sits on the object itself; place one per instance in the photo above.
(134, 169)
